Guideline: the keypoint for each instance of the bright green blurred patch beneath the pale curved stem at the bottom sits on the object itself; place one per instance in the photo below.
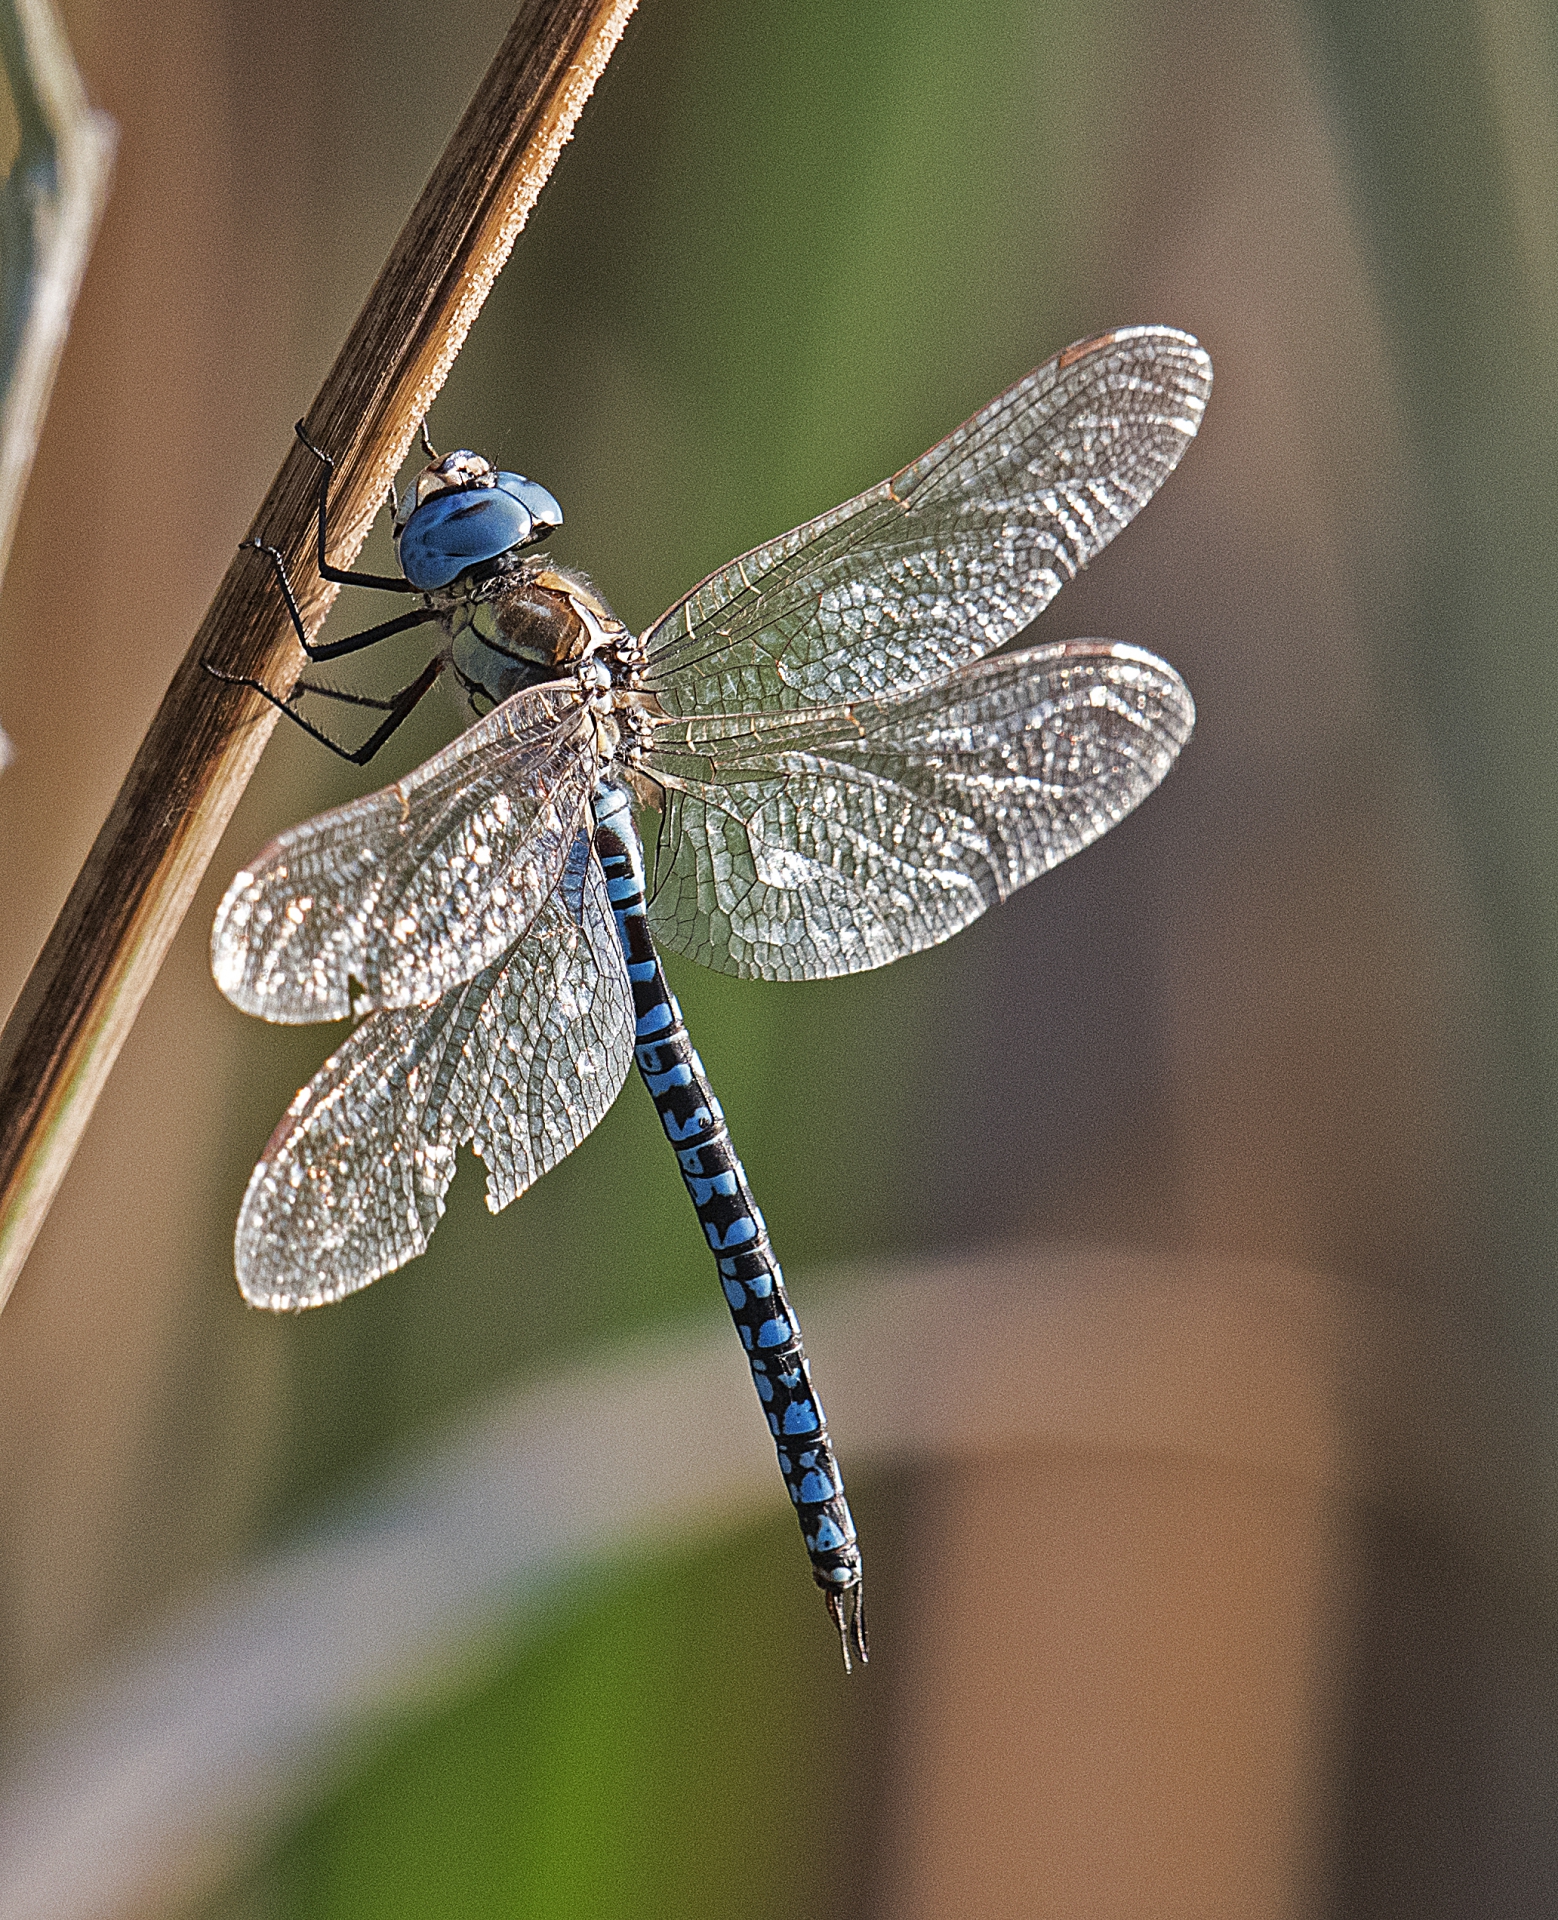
(581, 1815)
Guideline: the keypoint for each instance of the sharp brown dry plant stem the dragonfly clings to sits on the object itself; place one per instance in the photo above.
(120, 919)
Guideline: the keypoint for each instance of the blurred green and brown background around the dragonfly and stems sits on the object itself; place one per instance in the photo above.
(1302, 1011)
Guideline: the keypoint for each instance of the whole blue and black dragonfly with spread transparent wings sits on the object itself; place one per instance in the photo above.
(842, 759)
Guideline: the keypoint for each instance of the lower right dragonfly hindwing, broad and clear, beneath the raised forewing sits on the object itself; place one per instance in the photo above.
(829, 842)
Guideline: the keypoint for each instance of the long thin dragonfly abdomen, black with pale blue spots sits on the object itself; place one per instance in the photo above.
(735, 1230)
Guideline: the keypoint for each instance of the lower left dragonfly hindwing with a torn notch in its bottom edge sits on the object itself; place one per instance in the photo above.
(522, 1061)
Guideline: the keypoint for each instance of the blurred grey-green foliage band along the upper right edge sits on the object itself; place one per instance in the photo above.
(1451, 141)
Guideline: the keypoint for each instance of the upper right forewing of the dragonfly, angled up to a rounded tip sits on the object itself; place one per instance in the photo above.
(950, 558)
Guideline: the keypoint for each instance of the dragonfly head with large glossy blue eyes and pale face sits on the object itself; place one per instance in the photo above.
(462, 512)
